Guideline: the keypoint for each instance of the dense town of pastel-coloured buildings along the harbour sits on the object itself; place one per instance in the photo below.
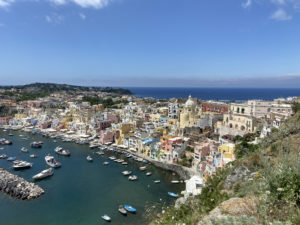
(200, 135)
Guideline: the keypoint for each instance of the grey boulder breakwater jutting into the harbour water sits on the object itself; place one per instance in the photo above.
(17, 187)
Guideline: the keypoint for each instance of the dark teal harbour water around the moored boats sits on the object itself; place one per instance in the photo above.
(81, 192)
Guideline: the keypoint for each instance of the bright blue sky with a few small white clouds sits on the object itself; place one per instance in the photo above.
(191, 43)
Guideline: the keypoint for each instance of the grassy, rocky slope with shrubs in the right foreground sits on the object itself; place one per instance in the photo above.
(261, 187)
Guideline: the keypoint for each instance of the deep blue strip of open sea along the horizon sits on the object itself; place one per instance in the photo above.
(215, 93)
